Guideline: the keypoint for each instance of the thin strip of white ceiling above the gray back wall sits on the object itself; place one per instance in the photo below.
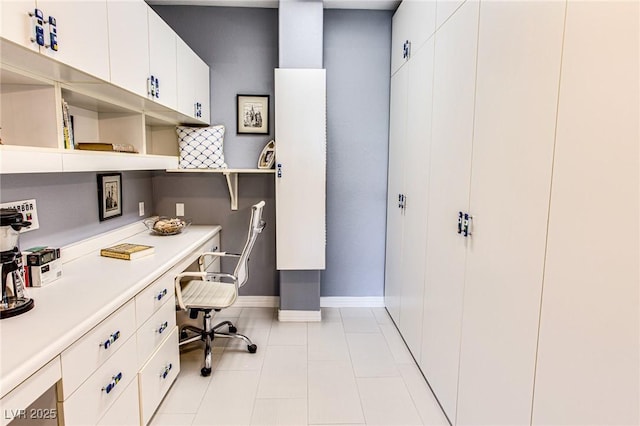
(328, 4)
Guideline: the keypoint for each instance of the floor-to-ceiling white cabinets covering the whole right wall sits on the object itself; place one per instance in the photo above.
(533, 316)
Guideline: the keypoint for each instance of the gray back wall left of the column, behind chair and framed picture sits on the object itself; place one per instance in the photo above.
(241, 47)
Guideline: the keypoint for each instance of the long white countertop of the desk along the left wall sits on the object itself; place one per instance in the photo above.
(90, 289)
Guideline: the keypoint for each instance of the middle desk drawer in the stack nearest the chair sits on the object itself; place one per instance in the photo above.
(155, 330)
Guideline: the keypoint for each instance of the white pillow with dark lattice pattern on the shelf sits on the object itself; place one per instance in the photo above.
(201, 147)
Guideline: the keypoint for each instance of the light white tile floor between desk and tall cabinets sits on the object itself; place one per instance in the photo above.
(350, 369)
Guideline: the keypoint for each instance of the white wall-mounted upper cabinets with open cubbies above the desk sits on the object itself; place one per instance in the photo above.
(108, 51)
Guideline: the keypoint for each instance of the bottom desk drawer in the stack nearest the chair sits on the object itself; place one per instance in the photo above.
(156, 376)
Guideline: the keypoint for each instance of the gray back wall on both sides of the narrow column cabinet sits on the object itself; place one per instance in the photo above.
(240, 46)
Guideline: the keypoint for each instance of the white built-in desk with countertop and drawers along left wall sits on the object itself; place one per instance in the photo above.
(37, 348)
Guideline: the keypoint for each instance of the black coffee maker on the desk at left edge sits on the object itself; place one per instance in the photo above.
(14, 301)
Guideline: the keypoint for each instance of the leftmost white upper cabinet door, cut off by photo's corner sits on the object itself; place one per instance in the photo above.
(16, 24)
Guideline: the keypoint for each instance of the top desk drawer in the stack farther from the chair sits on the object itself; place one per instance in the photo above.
(94, 348)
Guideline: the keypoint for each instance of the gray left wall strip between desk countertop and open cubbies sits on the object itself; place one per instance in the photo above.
(68, 204)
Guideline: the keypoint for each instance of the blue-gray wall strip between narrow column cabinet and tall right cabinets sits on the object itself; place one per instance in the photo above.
(357, 52)
